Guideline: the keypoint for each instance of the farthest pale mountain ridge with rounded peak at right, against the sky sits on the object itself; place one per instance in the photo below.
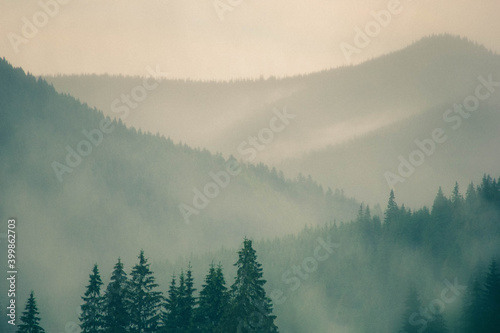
(429, 72)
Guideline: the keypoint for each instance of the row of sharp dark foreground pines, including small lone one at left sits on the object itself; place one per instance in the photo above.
(133, 304)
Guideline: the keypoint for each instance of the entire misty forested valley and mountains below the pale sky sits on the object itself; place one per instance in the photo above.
(364, 198)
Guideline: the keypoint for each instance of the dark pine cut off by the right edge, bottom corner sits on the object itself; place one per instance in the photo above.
(492, 299)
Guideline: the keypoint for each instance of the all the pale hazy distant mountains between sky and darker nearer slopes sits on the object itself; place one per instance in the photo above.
(375, 109)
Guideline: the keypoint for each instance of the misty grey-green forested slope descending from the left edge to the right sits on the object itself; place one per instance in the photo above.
(93, 187)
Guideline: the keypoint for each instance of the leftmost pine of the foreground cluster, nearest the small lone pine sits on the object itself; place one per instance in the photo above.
(91, 318)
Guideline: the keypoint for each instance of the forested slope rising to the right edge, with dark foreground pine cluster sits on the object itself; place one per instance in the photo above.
(429, 270)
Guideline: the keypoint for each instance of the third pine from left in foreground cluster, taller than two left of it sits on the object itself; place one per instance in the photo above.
(144, 302)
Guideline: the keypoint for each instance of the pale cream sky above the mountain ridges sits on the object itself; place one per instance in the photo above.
(187, 39)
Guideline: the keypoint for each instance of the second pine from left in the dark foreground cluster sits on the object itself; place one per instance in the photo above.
(116, 317)
